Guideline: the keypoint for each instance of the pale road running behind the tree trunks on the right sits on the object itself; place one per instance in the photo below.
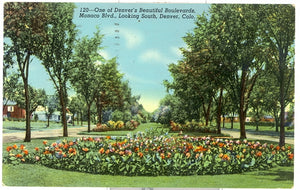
(236, 134)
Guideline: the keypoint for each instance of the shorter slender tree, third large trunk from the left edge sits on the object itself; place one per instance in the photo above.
(83, 78)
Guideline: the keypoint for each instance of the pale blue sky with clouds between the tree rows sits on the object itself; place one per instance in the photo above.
(144, 48)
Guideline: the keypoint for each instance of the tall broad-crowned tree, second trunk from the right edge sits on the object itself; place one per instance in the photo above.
(240, 42)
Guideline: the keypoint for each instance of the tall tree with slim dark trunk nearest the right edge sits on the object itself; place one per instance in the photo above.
(279, 33)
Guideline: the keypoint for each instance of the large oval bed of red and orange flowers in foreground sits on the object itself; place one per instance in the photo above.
(162, 155)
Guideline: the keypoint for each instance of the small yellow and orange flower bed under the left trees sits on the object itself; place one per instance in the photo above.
(115, 126)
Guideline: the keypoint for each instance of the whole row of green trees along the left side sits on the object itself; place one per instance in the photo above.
(46, 31)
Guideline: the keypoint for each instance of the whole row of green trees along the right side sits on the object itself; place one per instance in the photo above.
(237, 57)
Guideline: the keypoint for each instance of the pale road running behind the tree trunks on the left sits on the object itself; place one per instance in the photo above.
(19, 136)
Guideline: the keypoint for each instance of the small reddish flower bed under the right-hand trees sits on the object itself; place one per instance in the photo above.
(192, 126)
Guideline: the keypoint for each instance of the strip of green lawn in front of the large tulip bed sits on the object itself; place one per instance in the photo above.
(36, 175)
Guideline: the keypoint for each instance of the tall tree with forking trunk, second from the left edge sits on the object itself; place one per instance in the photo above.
(56, 53)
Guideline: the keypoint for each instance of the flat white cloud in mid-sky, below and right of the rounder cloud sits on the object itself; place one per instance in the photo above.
(153, 55)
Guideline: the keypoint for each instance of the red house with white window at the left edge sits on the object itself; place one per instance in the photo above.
(12, 110)
